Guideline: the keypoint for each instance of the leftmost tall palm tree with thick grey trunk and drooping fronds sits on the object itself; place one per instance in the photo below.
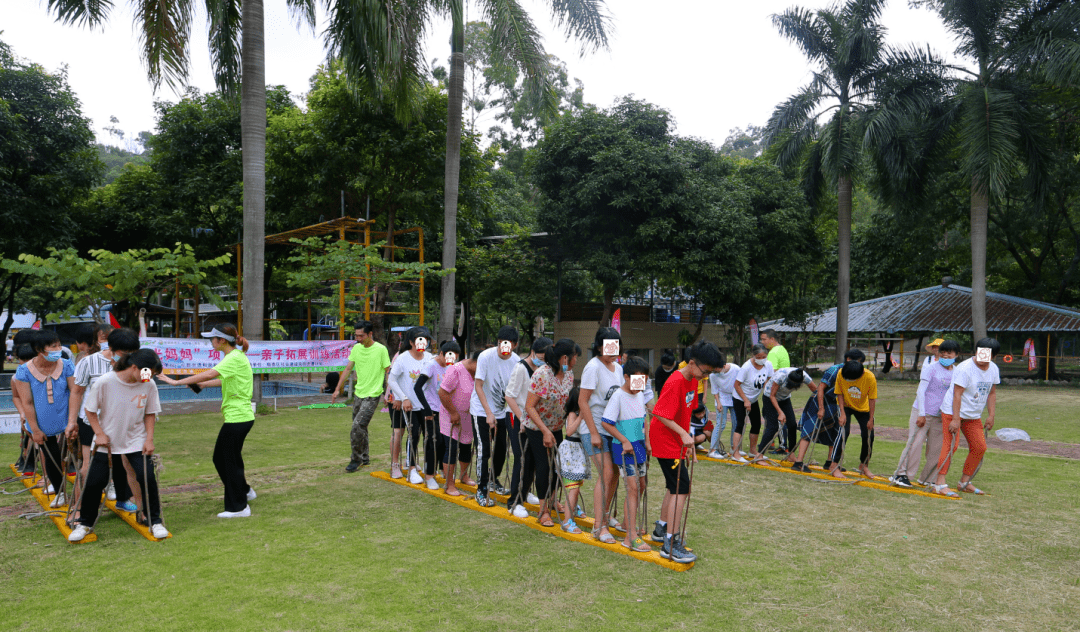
(375, 39)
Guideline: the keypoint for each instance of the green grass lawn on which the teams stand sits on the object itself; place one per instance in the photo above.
(326, 550)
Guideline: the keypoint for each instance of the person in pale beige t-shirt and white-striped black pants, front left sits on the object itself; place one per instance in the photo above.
(123, 408)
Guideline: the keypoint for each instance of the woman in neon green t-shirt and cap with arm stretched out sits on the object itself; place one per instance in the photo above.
(234, 374)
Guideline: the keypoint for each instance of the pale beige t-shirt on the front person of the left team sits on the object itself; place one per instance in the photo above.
(121, 409)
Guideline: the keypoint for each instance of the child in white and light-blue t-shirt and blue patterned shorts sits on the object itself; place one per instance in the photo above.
(625, 421)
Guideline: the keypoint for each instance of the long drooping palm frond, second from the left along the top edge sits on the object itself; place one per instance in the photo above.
(165, 33)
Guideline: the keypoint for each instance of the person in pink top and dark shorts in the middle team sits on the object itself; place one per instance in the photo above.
(455, 423)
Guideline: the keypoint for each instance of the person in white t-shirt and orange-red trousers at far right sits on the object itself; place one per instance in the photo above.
(975, 389)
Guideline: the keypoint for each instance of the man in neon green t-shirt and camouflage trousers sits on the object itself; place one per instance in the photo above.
(372, 364)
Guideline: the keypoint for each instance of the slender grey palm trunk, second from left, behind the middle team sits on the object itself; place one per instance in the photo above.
(453, 171)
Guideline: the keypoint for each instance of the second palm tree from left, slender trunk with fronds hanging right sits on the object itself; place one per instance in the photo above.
(517, 43)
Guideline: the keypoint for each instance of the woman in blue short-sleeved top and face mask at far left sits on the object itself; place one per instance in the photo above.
(46, 388)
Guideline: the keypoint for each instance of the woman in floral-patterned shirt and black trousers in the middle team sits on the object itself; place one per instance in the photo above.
(546, 409)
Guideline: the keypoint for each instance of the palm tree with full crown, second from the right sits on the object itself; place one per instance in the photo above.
(822, 126)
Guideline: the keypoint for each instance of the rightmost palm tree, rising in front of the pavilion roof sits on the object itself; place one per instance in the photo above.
(1019, 48)
